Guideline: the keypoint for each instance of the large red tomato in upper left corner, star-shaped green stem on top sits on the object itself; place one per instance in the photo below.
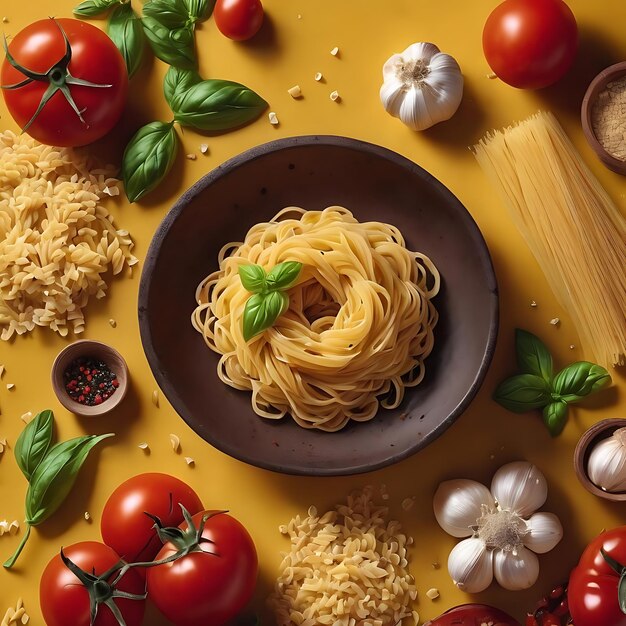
(94, 58)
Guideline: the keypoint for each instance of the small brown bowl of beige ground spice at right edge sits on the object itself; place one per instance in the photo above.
(603, 116)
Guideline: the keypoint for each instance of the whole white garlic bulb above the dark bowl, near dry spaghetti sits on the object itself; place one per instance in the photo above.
(422, 86)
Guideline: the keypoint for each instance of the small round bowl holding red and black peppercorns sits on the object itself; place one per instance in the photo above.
(89, 377)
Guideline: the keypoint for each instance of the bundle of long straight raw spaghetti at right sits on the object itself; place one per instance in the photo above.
(573, 228)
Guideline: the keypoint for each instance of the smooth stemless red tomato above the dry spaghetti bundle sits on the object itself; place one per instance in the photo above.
(530, 43)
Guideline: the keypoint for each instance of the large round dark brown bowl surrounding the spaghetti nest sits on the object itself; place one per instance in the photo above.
(314, 172)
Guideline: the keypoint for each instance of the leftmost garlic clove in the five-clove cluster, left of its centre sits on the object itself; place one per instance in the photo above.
(457, 505)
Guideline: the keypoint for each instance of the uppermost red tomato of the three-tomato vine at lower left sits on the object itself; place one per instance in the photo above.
(127, 529)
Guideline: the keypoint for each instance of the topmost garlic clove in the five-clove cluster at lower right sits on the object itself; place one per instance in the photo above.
(519, 487)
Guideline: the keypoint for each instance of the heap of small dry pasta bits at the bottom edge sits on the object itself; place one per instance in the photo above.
(346, 566)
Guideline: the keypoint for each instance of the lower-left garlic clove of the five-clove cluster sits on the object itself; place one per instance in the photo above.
(470, 565)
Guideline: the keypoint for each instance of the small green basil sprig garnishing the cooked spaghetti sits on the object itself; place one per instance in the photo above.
(269, 300)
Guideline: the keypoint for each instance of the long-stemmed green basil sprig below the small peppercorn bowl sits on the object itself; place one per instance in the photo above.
(50, 471)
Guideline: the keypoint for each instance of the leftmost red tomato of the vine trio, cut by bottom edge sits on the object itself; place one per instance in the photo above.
(65, 601)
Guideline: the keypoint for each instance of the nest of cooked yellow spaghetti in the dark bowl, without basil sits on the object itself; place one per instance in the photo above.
(358, 328)
